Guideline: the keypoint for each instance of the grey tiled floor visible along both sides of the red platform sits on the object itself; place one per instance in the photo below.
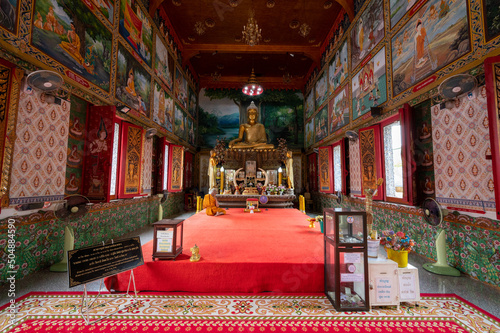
(480, 294)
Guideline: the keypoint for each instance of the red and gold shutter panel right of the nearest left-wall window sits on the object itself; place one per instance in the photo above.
(130, 164)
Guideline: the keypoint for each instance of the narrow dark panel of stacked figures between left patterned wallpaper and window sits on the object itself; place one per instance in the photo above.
(76, 143)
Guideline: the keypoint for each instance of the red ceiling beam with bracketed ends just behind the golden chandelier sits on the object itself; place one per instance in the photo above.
(191, 50)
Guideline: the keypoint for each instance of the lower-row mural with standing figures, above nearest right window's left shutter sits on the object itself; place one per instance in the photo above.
(369, 85)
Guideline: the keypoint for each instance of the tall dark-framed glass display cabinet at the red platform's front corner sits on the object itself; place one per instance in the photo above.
(346, 261)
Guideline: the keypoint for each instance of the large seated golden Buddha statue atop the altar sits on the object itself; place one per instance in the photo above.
(251, 134)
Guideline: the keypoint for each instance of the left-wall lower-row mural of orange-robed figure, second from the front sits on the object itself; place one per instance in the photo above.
(133, 82)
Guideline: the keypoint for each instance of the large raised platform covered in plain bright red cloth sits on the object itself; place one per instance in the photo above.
(273, 251)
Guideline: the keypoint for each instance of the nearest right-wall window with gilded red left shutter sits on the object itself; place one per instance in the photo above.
(384, 150)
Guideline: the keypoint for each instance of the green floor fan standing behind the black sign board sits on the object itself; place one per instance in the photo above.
(75, 207)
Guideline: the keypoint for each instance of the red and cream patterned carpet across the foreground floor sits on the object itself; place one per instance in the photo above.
(266, 313)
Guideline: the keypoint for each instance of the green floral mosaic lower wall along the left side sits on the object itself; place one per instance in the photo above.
(40, 236)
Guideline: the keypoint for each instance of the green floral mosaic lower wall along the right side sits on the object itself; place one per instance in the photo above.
(473, 243)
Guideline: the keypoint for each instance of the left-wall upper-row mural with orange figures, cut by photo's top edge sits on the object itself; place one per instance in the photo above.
(136, 29)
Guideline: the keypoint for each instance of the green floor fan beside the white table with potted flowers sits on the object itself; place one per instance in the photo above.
(434, 214)
